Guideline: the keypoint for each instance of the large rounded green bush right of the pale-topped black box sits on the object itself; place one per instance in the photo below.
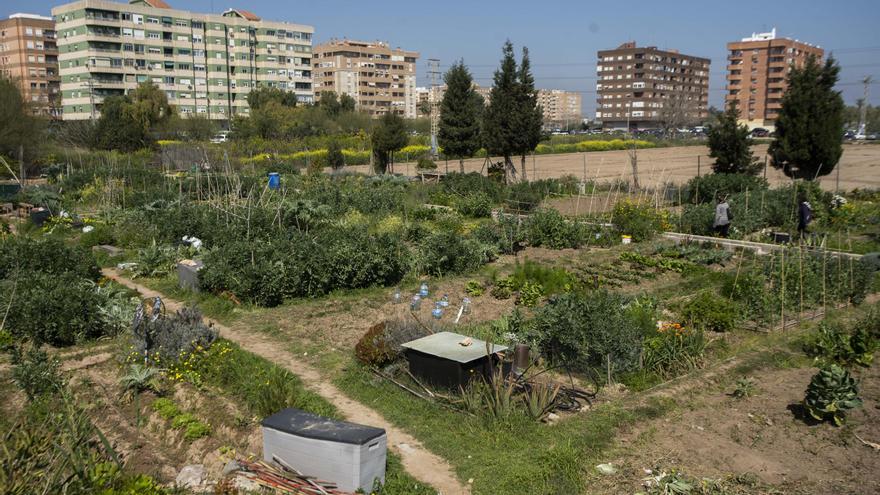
(596, 330)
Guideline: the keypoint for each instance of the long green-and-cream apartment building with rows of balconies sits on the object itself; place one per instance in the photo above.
(206, 63)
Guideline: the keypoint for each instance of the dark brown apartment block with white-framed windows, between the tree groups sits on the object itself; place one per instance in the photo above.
(644, 87)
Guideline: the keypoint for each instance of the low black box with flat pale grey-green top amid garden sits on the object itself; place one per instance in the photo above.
(451, 360)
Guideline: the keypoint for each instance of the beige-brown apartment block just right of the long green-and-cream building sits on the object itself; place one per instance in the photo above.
(381, 79)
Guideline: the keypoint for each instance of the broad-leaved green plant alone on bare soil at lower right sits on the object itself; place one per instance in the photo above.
(831, 393)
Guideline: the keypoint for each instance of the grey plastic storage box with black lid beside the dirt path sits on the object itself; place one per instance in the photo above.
(348, 454)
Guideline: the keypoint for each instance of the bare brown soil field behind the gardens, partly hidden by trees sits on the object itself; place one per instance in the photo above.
(859, 166)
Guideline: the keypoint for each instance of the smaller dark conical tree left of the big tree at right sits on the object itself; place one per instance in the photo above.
(730, 144)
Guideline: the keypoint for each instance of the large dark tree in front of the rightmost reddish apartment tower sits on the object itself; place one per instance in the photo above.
(810, 124)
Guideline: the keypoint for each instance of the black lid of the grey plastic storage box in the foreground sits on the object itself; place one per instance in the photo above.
(309, 425)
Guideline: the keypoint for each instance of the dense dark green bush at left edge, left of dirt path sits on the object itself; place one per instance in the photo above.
(60, 310)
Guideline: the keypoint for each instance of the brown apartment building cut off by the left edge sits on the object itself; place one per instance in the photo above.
(29, 55)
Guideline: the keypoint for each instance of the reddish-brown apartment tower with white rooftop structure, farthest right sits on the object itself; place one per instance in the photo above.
(756, 74)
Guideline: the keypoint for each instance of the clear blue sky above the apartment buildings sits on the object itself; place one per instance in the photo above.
(563, 36)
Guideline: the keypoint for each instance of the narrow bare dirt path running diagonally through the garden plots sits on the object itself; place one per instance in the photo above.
(418, 461)
